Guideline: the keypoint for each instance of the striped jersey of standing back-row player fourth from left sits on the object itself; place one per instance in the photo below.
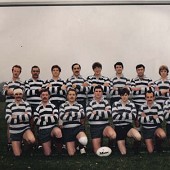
(81, 90)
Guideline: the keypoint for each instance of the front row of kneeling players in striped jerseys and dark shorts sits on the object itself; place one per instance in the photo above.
(71, 114)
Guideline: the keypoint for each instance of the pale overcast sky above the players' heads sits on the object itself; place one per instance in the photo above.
(63, 35)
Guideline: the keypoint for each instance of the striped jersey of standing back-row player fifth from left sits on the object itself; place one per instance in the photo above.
(100, 81)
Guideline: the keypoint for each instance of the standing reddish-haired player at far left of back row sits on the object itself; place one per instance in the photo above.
(8, 92)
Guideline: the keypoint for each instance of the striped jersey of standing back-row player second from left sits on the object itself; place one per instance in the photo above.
(32, 91)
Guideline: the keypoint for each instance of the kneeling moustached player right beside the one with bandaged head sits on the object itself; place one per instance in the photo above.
(46, 118)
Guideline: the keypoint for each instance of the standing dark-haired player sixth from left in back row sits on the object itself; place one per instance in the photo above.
(117, 83)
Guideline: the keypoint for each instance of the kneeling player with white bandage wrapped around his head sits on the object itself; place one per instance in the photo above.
(18, 114)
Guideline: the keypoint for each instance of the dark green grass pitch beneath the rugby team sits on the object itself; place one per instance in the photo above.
(80, 162)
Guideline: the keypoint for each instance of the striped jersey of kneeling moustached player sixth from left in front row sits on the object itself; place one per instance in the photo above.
(149, 122)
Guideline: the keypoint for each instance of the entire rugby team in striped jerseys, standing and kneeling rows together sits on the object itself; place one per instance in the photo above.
(55, 112)
